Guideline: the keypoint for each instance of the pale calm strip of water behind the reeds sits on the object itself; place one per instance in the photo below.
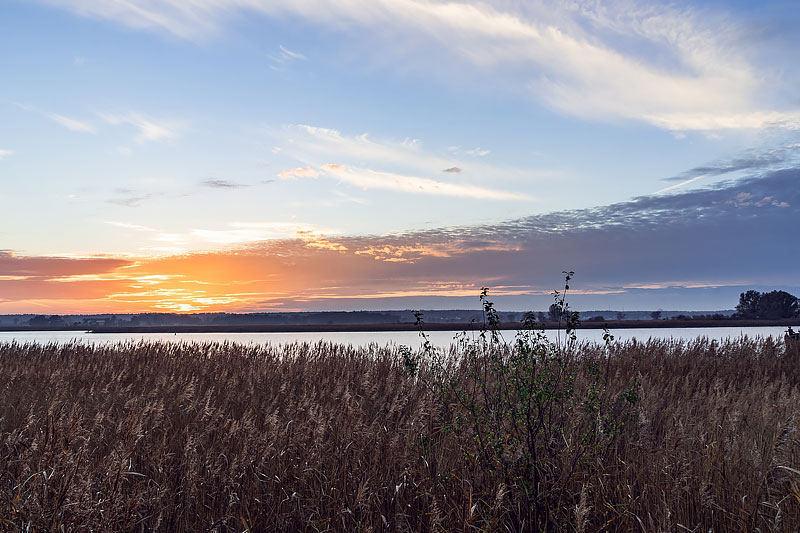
(411, 338)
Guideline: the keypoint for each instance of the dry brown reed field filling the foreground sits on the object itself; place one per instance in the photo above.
(656, 436)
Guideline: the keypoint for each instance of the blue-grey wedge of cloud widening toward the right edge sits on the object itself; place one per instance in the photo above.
(736, 233)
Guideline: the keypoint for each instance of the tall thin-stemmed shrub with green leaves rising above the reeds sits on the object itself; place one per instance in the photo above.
(528, 413)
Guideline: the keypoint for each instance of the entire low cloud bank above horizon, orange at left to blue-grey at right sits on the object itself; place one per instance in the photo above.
(626, 256)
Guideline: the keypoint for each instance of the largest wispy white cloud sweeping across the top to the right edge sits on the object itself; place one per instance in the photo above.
(673, 68)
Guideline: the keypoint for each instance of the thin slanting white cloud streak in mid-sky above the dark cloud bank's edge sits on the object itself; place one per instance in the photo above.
(371, 179)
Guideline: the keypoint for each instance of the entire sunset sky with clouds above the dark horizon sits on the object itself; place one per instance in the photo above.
(255, 155)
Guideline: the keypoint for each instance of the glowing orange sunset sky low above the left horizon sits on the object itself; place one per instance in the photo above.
(271, 276)
